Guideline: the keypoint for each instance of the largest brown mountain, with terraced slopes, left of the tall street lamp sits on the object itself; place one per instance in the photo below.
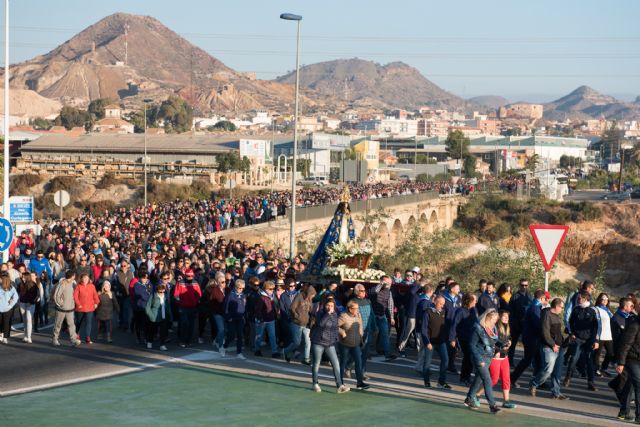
(130, 57)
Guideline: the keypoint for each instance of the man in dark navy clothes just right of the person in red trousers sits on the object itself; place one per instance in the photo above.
(531, 334)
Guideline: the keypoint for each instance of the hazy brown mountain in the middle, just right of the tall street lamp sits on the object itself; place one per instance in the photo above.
(365, 83)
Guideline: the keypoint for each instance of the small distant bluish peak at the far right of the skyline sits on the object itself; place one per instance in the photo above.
(587, 103)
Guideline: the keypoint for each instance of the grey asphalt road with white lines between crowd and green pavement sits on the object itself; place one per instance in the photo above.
(27, 368)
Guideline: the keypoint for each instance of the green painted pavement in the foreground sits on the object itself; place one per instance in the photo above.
(185, 396)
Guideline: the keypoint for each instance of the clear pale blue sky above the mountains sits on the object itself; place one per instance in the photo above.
(534, 50)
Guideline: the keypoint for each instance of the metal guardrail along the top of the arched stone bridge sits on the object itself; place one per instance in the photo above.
(323, 211)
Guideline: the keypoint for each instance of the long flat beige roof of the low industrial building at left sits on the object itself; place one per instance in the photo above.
(134, 143)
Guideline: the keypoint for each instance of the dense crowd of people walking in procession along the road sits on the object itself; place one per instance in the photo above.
(161, 274)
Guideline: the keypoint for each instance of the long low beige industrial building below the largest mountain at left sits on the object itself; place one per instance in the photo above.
(172, 155)
